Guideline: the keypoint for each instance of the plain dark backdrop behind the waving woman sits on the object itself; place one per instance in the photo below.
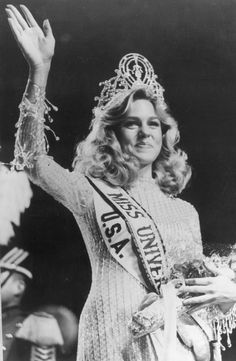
(192, 46)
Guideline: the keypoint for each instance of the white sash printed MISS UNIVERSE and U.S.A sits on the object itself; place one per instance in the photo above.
(130, 234)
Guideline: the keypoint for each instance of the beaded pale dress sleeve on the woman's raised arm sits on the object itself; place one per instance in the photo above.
(31, 148)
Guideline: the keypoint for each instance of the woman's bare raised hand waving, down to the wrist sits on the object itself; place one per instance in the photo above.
(36, 44)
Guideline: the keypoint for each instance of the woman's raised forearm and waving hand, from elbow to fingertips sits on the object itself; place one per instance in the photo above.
(37, 46)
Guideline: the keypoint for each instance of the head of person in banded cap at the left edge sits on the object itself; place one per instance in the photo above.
(15, 275)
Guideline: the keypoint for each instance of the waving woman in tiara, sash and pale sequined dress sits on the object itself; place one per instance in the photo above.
(121, 193)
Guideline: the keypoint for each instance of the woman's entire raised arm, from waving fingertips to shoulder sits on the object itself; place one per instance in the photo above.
(31, 147)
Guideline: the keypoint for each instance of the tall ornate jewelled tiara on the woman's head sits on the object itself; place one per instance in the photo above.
(134, 72)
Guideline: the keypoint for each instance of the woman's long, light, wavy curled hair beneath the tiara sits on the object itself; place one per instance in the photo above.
(100, 154)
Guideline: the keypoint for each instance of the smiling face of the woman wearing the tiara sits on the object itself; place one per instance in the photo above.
(141, 130)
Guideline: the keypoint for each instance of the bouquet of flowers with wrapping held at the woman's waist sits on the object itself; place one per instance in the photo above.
(150, 316)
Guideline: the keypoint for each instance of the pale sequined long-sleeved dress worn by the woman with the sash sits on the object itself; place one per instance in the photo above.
(114, 295)
